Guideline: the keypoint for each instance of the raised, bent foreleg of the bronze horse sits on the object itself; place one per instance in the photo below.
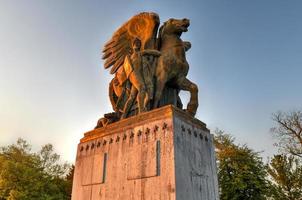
(187, 85)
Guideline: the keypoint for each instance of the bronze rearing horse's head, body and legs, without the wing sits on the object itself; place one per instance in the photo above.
(172, 67)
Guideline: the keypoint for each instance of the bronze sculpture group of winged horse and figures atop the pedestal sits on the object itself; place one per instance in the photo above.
(148, 68)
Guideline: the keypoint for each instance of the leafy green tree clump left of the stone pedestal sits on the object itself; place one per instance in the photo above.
(25, 175)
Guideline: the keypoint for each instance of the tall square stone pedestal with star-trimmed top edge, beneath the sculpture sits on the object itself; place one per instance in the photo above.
(163, 154)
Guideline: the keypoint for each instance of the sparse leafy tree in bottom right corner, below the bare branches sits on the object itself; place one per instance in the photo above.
(286, 175)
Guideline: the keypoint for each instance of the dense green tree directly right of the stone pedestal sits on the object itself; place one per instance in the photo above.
(241, 172)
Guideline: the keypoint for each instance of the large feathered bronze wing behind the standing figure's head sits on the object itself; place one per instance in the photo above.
(143, 26)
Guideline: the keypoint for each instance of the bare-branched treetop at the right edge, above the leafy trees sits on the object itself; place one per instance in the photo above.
(289, 131)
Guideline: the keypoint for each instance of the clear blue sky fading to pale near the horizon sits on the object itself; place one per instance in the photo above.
(245, 58)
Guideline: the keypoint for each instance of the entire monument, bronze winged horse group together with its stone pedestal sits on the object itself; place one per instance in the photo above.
(149, 147)
